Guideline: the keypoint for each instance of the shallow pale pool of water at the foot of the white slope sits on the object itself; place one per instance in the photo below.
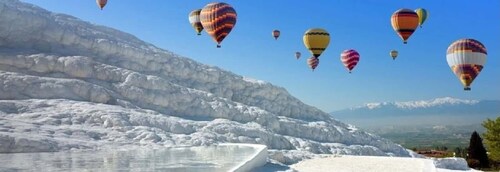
(207, 159)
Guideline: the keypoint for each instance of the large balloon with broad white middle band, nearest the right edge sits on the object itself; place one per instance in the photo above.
(466, 58)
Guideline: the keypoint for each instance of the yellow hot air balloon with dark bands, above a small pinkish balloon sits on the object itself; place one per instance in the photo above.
(316, 41)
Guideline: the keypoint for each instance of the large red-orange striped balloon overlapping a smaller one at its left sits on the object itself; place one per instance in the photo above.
(218, 19)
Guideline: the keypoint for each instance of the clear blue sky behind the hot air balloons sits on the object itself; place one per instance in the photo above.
(419, 73)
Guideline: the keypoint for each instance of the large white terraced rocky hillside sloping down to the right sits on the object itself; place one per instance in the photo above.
(66, 84)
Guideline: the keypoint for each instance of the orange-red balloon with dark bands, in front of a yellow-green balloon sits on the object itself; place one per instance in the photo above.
(404, 22)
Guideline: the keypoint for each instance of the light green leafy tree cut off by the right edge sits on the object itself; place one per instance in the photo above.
(492, 138)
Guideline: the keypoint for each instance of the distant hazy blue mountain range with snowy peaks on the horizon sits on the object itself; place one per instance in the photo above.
(445, 110)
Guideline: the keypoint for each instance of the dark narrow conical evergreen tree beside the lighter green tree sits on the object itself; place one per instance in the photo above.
(477, 151)
